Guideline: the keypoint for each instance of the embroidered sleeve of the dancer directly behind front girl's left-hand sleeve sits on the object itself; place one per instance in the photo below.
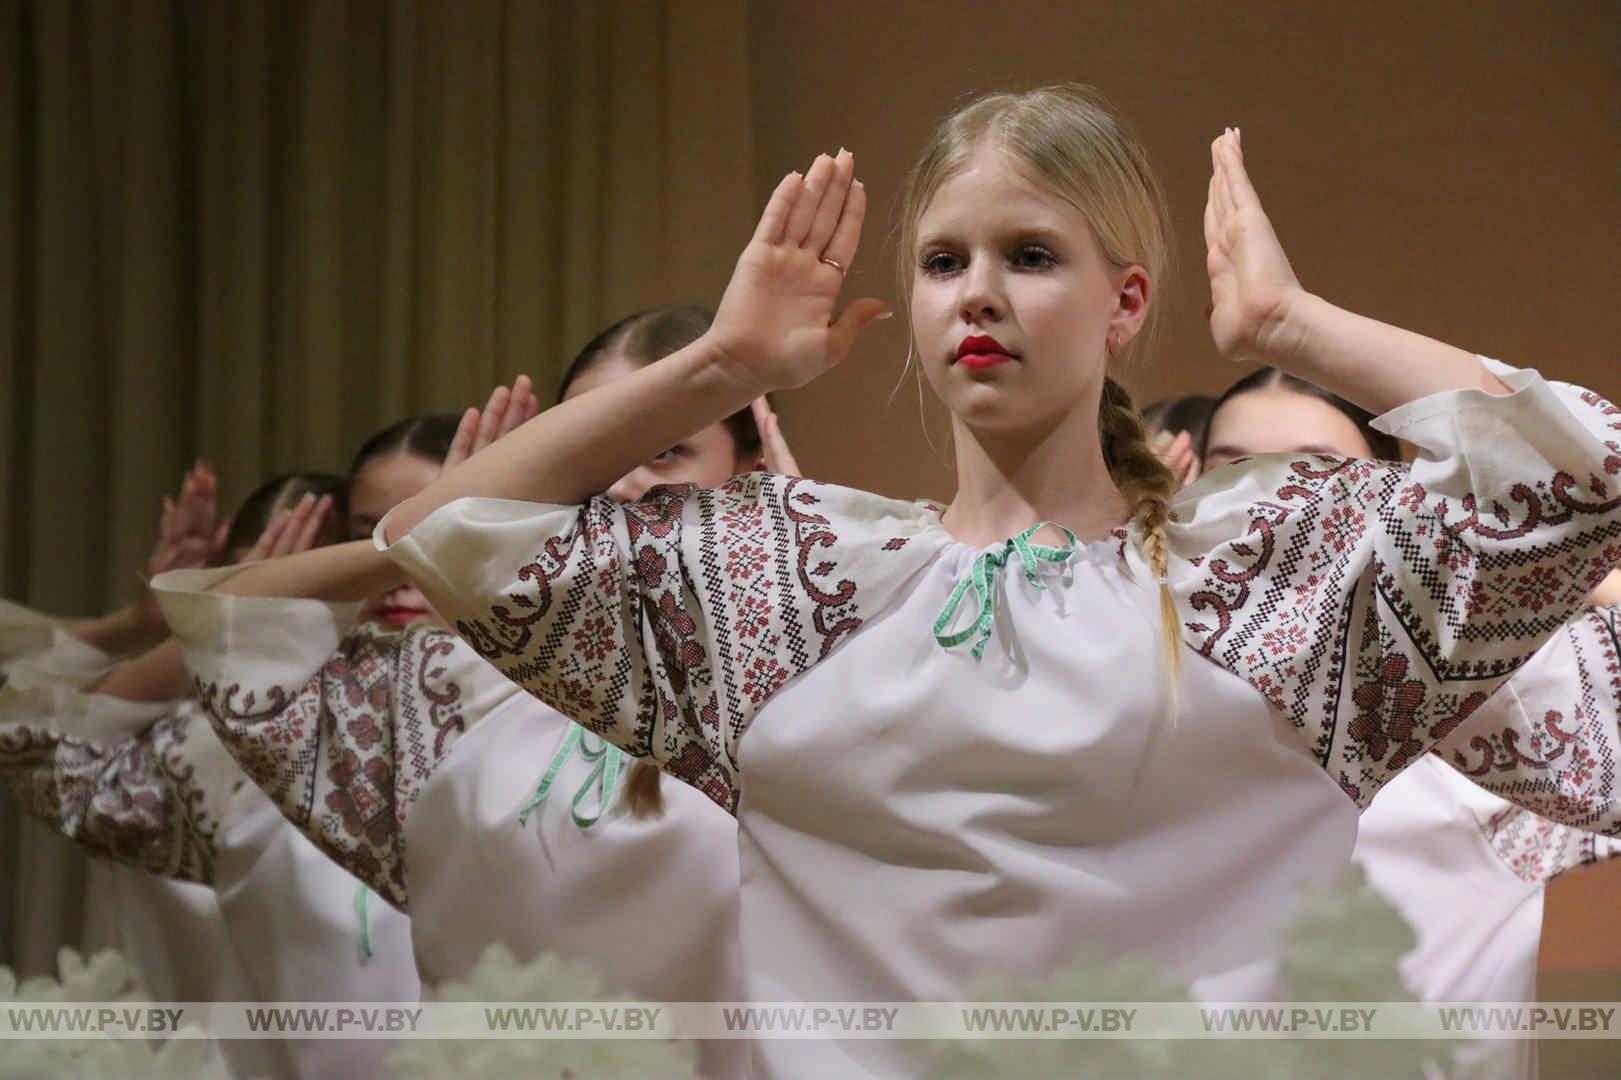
(340, 729)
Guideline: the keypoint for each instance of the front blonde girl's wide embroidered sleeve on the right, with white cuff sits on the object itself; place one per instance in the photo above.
(1379, 607)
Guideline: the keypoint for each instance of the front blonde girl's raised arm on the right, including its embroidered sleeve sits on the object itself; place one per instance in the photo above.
(1377, 606)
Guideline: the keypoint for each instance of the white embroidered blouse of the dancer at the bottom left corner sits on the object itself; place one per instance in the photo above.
(276, 919)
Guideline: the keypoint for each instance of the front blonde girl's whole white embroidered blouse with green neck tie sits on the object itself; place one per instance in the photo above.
(912, 820)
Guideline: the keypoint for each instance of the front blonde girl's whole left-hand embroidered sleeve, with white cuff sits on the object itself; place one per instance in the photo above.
(665, 625)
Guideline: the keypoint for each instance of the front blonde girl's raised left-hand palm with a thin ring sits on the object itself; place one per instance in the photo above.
(777, 324)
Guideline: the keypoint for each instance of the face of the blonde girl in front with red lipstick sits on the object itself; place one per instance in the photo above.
(1014, 302)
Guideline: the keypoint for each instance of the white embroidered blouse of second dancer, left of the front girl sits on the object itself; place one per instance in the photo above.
(443, 838)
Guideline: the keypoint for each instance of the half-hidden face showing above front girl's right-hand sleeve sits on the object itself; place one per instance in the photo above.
(1280, 421)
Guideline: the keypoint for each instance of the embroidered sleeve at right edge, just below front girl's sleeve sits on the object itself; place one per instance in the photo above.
(1550, 740)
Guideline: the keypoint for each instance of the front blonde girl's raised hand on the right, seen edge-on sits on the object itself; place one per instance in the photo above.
(1252, 285)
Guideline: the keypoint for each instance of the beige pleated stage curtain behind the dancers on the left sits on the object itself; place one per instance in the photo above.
(260, 231)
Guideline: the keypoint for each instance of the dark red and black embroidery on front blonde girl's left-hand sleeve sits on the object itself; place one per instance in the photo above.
(693, 607)
